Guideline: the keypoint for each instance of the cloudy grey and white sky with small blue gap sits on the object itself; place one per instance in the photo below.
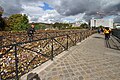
(63, 10)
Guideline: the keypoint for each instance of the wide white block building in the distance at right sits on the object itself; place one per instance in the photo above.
(101, 22)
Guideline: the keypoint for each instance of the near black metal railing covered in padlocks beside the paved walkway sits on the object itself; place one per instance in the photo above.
(19, 58)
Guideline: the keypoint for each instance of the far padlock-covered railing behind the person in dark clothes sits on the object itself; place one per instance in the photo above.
(12, 37)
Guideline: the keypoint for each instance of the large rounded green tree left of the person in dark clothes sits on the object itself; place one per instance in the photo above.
(18, 22)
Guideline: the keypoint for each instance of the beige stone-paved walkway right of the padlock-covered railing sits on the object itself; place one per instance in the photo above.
(88, 60)
